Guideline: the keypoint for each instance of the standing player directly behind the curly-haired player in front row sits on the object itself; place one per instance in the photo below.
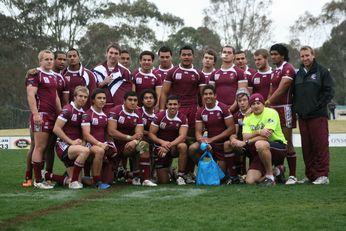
(144, 78)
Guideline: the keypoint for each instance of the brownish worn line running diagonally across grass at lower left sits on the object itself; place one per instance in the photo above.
(20, 219)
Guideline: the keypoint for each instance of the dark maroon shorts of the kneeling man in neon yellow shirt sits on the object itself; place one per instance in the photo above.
(278, 151)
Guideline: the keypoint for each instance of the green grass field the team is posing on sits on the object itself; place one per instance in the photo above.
(171, 207)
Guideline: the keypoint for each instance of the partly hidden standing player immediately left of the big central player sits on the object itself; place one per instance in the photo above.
(165, 58)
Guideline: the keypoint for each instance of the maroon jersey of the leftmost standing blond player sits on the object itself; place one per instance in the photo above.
(46, 90)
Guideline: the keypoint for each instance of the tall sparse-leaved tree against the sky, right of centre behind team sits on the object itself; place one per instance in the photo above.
(243, 24)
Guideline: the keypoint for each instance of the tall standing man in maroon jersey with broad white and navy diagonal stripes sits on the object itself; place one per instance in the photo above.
(113, 77)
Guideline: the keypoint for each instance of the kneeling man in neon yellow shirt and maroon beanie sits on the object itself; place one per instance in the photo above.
(264, 140)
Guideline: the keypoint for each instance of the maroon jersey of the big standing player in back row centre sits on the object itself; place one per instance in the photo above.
(185, 84)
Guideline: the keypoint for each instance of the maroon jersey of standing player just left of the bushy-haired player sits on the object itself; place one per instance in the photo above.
(260, 83)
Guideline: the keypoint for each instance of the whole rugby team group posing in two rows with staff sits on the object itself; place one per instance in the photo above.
(110, 124)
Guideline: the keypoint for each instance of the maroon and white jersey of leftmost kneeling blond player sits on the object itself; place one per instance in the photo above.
(72, 116)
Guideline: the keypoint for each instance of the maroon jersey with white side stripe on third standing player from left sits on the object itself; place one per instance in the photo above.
(81, 77)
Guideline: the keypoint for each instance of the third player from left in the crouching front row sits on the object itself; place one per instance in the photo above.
(126, 127)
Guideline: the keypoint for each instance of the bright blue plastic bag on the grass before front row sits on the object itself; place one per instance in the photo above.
(209, 172)
